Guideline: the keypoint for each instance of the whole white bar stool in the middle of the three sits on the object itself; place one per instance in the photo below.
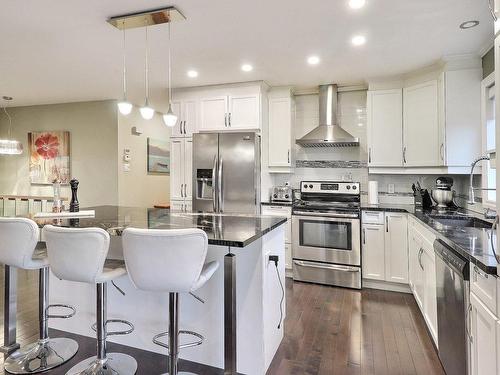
(79, 254)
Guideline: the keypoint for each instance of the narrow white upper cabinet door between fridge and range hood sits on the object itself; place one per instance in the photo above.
(281, 123)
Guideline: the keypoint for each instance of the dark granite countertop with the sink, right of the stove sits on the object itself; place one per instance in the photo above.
(472, 243)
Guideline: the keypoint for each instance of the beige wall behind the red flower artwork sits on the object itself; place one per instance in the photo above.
(93, 140)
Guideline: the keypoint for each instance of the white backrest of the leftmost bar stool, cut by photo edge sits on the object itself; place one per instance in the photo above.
(18, 239)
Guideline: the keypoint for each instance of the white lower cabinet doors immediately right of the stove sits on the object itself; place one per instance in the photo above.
(385, 249)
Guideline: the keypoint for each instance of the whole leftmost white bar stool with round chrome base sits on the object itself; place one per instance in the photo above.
(18, 248)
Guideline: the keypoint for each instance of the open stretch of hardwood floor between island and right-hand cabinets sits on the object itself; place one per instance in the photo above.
(338, 331)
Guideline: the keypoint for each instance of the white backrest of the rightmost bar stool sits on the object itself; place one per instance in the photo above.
(164, 260)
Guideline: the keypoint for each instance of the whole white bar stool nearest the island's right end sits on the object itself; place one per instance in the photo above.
(170, 261)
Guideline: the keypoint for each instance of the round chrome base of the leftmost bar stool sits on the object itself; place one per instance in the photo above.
(41, 356)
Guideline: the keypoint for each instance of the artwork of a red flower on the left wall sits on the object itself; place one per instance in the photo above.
(49, 157)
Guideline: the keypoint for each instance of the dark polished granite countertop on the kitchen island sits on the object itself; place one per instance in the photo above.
(236, 230)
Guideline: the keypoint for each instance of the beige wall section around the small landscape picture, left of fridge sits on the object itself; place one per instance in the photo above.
(136, 187)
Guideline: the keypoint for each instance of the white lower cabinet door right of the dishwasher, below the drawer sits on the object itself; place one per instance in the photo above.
(484, 345)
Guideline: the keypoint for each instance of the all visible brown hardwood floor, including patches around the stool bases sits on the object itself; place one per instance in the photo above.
(328, 330)
